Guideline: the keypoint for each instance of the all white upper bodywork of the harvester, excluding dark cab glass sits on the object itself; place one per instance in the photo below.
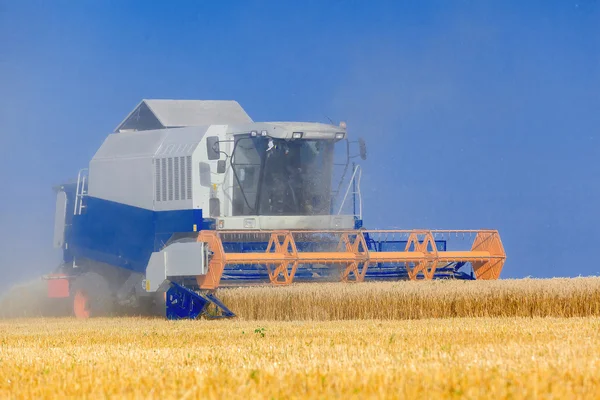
(169, 169)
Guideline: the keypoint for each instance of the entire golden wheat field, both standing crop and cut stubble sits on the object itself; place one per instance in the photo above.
(518, 339)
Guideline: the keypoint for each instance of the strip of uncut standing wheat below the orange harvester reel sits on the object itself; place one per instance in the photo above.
(413, 300)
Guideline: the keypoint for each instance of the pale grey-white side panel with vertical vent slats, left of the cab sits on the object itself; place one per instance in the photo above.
(155, 170)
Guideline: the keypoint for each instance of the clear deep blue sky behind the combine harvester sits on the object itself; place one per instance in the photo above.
(476, 113)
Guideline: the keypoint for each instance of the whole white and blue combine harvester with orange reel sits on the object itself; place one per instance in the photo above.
(187, 196)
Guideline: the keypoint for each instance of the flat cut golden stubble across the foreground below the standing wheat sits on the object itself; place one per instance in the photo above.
(514, 358)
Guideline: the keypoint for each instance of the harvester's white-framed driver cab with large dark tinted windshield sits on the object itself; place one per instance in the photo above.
(274, 176)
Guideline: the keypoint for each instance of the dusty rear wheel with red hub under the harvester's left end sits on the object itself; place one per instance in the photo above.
(100, 300)
